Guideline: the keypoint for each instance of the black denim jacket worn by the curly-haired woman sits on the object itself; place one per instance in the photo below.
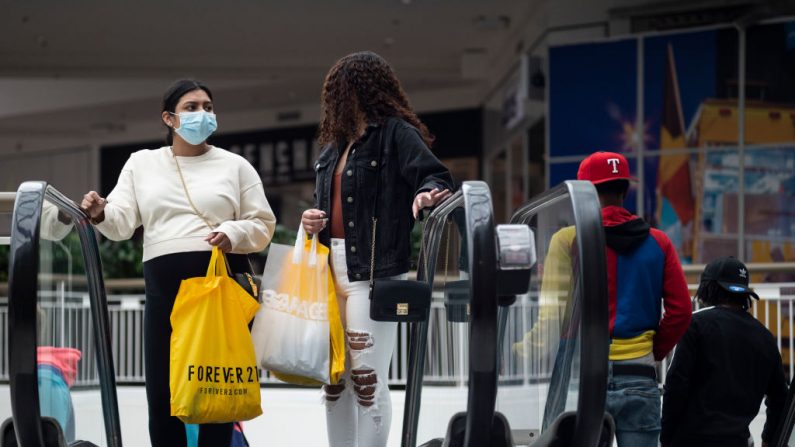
(407, 167)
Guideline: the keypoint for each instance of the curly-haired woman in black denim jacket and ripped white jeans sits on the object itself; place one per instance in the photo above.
(370, 135)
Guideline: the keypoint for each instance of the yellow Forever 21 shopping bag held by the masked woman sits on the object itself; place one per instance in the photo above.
(213, 367)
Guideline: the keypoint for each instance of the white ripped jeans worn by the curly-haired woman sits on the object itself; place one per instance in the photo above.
(359, 409)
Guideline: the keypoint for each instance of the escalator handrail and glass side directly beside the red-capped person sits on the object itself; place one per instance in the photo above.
(567, 222)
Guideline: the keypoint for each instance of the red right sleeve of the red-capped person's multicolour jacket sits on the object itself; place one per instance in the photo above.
(676, 300)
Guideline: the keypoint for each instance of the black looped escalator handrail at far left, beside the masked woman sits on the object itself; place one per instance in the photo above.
(25, 241)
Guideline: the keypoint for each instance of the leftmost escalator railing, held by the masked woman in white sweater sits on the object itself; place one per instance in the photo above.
(36, 201)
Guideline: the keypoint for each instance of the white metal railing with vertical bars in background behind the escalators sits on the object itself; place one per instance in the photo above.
(65, 321)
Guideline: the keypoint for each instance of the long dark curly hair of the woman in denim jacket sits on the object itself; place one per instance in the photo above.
(362, 82)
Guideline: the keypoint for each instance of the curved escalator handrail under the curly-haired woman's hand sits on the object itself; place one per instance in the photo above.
(474, 199)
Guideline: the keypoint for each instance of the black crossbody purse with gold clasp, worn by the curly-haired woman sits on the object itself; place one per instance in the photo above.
(394, 299)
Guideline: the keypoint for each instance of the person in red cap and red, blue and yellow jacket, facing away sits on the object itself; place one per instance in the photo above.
(644, 278)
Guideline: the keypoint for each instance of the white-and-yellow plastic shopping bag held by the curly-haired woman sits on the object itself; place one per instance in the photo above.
(298, 334)
